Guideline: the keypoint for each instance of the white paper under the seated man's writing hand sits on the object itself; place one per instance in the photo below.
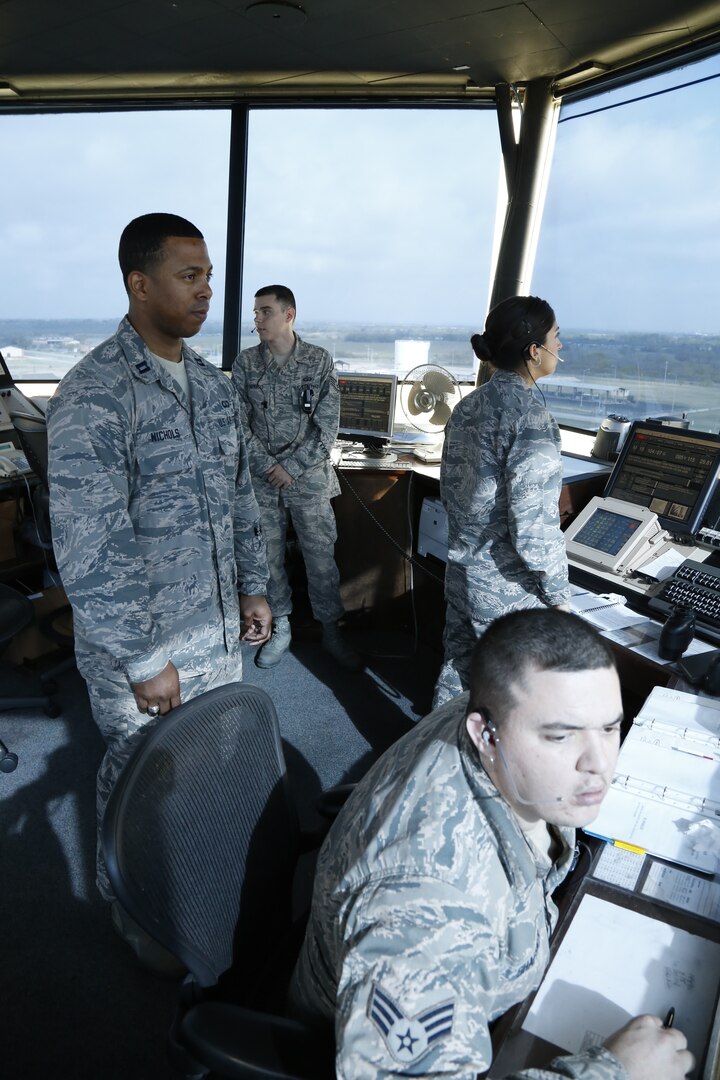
(614, 965)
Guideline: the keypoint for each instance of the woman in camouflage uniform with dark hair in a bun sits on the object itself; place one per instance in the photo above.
(500, 483)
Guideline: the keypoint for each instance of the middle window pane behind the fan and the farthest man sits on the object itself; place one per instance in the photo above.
(382, 222)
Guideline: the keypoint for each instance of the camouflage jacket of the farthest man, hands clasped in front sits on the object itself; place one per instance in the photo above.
(278, 428)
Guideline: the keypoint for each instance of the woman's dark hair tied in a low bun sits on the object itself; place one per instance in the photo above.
(511, 329)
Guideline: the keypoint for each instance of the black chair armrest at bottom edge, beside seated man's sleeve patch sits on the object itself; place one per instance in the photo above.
(243, 1045)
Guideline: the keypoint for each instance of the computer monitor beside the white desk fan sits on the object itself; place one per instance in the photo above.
(368, 408)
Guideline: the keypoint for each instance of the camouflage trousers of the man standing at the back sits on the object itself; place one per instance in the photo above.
(314, 521)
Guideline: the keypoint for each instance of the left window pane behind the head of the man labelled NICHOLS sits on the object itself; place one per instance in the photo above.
(71, 184)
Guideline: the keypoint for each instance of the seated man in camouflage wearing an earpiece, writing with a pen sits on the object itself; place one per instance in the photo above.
(432, 909)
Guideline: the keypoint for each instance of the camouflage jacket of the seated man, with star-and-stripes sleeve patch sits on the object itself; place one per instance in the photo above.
(431, 917)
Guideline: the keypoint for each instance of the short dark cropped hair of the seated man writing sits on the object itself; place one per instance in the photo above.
(538, 640)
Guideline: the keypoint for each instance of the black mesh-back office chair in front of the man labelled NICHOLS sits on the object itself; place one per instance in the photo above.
(202, 844)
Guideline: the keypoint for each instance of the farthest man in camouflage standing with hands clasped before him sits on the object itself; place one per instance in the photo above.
(289, 391)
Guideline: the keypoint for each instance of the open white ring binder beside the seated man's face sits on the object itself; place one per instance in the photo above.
(665, 794)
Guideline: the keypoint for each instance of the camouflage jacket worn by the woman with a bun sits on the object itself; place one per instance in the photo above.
(500, 483)
